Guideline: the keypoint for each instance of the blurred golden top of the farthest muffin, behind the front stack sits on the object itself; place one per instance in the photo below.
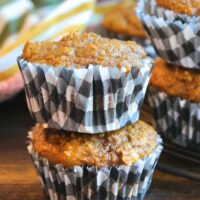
(123, 20)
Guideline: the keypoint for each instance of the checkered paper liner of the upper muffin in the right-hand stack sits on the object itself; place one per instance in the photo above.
(176, 39)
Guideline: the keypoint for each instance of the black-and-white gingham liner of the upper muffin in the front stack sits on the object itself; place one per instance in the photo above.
(92, 100)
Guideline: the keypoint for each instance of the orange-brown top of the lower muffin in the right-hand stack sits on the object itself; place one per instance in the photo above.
(176, 81)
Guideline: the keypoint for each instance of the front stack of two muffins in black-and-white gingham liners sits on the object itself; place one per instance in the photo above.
(85, 92)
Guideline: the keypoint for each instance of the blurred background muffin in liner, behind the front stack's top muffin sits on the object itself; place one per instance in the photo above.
(122, 23)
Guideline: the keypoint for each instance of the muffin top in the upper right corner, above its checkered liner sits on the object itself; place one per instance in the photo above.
(188, 7)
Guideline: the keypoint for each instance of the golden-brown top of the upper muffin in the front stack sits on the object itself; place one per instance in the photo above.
(81, 50)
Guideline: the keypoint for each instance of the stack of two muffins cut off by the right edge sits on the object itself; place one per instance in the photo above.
(173, 27)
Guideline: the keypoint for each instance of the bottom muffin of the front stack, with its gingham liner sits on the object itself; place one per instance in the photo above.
(115, 165)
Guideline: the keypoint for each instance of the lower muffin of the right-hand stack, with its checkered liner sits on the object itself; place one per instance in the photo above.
(174, 95)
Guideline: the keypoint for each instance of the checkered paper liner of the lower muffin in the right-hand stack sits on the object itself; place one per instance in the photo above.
(177, 120)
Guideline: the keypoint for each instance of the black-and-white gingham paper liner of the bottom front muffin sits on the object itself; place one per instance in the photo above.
(90, 183)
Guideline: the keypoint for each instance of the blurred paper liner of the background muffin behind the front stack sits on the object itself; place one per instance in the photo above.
(145, 43)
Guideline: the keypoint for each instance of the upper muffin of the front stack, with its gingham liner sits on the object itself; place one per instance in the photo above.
(85, 83)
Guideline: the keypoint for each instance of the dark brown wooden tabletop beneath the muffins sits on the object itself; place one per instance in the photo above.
(18, 179)
